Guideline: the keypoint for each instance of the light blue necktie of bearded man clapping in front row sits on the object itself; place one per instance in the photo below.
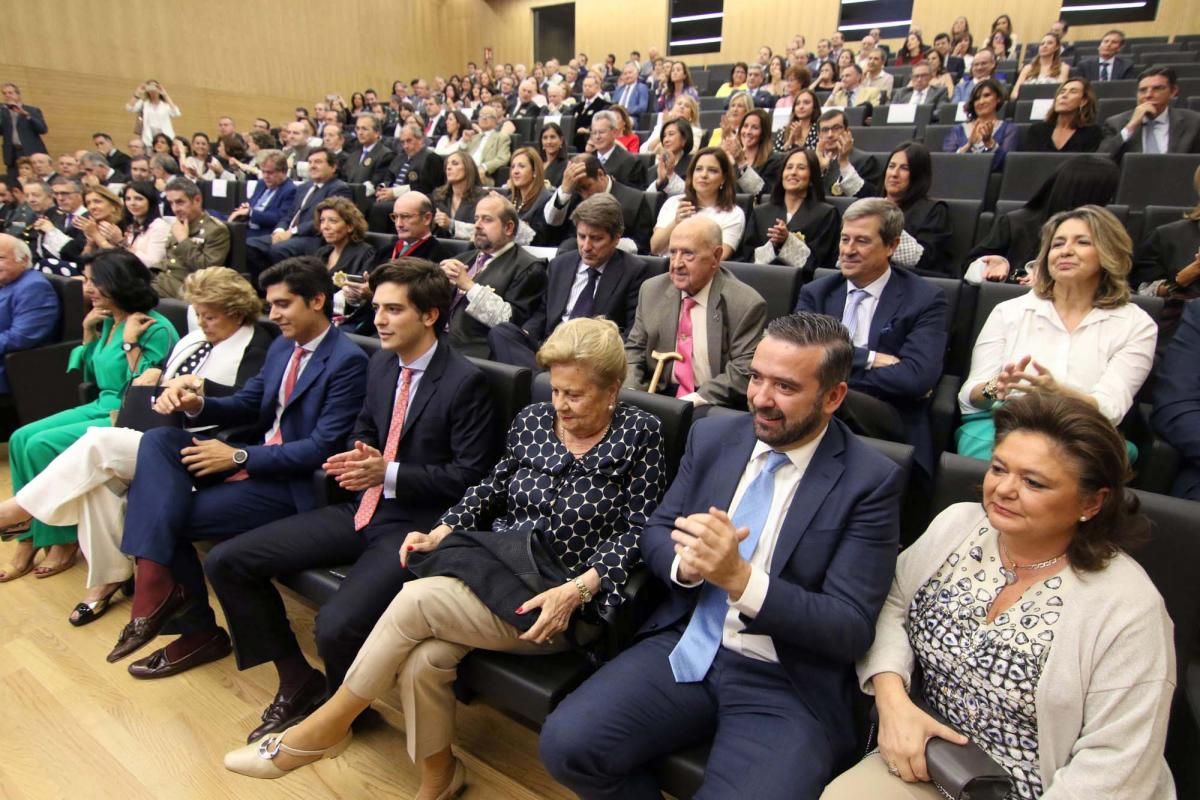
(698, 647)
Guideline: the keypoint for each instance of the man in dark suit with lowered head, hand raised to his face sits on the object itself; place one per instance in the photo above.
(584, 178)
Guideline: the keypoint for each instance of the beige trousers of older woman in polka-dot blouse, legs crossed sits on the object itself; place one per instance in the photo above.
(418, 645)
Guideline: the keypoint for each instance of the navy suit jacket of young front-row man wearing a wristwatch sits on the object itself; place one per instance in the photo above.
(316, 422)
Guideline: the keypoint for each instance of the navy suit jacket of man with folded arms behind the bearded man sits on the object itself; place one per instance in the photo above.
(910, 324)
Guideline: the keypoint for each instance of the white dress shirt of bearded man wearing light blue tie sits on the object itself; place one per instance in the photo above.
(788, 480)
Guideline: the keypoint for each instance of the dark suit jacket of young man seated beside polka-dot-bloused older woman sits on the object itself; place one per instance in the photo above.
(451, 437)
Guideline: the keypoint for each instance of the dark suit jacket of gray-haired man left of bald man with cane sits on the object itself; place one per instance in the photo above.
(616, 297)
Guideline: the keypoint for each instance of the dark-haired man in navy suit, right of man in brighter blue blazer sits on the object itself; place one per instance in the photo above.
(296, 234)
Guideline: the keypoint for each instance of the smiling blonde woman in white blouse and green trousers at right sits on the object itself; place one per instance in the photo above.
(1076, 334)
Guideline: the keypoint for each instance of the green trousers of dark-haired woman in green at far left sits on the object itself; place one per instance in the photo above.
(35, 446)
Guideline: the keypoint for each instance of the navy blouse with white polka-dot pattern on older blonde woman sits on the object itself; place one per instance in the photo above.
(593, 508)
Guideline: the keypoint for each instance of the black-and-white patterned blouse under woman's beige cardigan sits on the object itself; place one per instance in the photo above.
(981, 676)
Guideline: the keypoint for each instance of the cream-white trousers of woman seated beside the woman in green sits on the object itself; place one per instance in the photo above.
(86, 486)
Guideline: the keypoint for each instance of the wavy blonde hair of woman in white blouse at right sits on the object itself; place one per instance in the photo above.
(1112, 243)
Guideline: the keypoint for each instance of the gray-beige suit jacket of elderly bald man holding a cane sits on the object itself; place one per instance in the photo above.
(736, 318)
